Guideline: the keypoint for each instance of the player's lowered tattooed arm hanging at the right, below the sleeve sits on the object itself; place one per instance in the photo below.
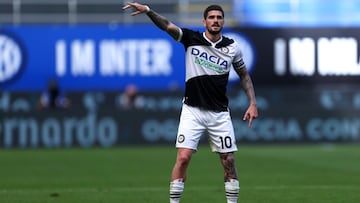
(247, 84)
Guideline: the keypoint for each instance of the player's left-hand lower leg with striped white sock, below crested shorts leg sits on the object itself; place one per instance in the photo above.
(178, 175)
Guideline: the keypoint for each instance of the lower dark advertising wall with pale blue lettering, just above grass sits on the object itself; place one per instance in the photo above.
(98, 119)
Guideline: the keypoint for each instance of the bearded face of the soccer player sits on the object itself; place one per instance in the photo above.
(214, 22)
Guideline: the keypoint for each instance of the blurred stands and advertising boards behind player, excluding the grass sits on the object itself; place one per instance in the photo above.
(122, 79)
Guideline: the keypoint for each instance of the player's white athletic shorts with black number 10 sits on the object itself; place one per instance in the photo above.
(196, 122)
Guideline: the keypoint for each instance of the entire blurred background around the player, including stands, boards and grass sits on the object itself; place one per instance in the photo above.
(110, 137)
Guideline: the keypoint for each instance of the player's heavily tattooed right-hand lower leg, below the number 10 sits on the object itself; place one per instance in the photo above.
(230, 177)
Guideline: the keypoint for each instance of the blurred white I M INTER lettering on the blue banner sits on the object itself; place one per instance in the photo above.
(116, 57)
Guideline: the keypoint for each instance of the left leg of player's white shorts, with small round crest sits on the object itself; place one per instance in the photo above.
(190, 129)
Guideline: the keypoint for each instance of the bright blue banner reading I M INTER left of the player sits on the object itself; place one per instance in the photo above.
(97, 57)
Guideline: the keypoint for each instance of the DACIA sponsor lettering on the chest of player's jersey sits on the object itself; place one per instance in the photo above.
(209, 61)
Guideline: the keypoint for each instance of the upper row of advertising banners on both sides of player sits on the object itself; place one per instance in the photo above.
(107, 57)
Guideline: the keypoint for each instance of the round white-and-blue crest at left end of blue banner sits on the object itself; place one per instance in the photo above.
(12, 58)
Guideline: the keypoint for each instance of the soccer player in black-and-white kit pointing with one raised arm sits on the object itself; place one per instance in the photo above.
(209, 57)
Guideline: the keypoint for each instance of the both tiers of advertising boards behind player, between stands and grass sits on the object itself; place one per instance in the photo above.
(305, 80)
